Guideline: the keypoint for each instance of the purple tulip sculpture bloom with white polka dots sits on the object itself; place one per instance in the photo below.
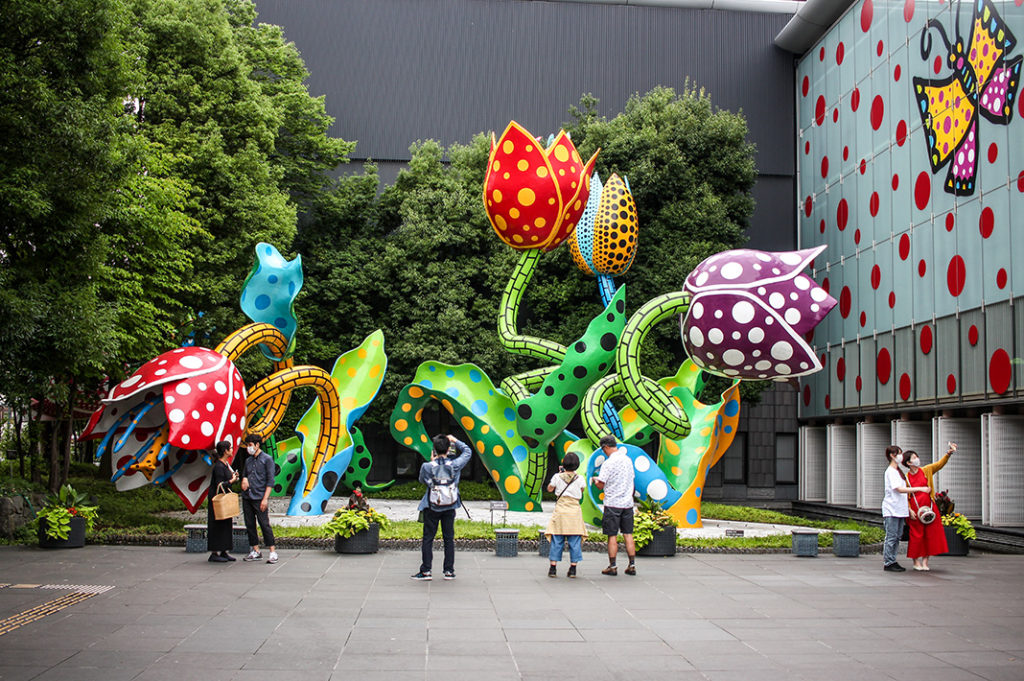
(749, 313)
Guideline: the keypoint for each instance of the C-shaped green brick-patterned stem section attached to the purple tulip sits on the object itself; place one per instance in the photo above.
(648, 398)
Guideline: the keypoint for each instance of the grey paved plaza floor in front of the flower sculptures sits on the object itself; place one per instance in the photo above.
(150, 614)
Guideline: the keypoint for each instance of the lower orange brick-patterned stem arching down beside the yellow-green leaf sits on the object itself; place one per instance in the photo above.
(284, 382)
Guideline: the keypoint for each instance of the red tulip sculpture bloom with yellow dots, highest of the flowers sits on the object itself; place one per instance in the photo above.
(535, 197)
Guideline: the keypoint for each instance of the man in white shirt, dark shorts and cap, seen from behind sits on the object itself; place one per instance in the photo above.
(616, 480)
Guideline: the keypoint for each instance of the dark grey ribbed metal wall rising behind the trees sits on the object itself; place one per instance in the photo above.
(398, 71)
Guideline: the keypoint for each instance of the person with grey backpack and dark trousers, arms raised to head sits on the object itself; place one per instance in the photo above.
(439, 505)
